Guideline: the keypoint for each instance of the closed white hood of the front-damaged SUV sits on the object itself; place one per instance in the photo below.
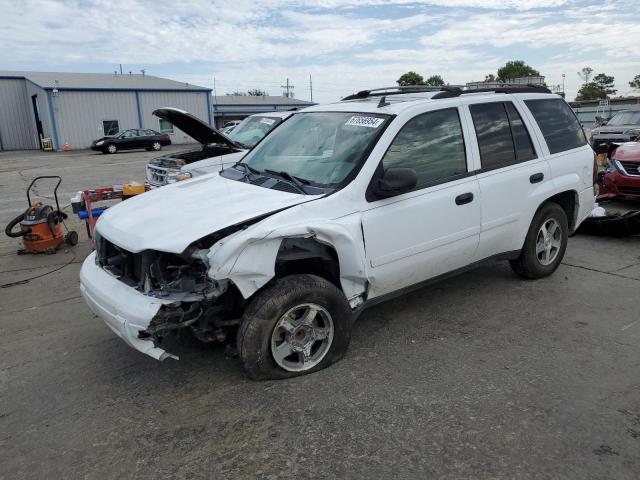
(170, 218)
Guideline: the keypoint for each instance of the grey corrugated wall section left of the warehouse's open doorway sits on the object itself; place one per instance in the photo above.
(17, 128)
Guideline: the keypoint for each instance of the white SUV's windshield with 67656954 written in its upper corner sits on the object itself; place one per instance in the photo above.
(320, 147)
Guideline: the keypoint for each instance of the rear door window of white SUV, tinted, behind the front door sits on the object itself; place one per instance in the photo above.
(502, 136)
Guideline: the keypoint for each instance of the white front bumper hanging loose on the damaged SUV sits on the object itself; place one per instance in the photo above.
(125, 310)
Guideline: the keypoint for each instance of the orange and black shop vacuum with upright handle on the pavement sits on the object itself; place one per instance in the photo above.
(41, 225)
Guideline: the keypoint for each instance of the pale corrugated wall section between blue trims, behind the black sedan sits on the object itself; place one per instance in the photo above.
(79, 115)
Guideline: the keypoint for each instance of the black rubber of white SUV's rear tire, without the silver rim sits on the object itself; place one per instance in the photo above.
(528, 265)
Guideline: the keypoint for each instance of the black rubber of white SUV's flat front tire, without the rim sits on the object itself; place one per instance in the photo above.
(268, 307)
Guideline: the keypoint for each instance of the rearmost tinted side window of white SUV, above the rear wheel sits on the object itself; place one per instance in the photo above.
(559, 125)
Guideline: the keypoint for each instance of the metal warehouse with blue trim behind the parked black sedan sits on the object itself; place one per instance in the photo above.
(76, 108)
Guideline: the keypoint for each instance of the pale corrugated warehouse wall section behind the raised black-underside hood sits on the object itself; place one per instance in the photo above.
(193, 102)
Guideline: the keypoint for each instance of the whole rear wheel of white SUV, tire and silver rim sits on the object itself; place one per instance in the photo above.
(545, 243)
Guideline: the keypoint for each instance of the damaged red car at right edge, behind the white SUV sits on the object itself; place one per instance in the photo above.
(622, 179)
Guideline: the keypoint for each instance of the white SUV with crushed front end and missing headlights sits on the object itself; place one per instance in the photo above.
(340, 207)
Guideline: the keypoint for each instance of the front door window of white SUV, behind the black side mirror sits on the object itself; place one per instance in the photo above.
(432, 144)
